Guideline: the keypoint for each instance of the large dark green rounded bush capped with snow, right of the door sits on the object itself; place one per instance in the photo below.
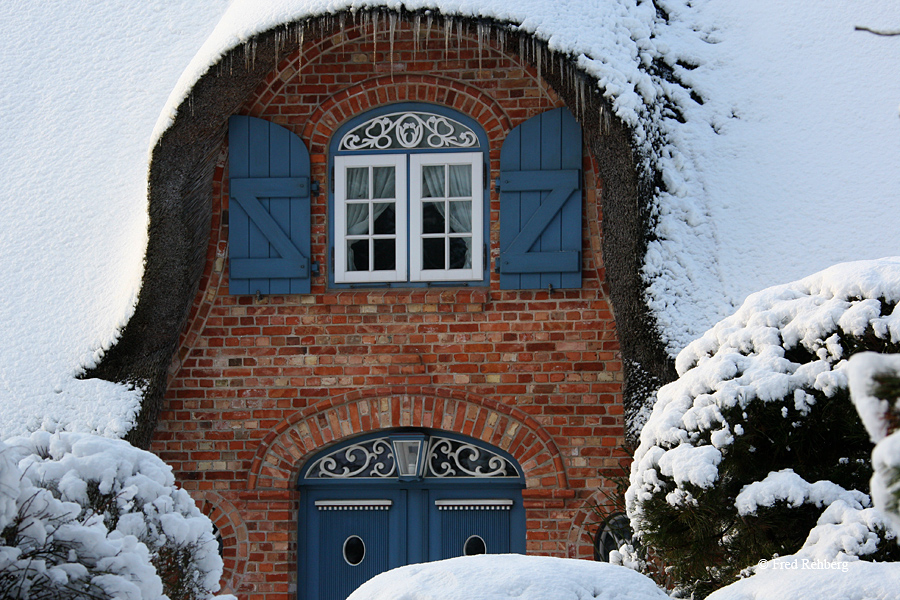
(758, 435)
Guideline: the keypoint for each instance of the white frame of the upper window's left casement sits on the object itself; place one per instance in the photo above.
(341, 164)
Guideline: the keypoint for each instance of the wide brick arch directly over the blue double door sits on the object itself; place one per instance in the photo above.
(288, 444)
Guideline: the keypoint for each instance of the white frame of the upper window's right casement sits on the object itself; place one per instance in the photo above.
(416, 163)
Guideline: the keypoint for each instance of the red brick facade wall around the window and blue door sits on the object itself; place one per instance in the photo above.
(261, 384)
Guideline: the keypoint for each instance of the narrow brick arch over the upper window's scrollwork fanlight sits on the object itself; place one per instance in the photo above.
(379, 91)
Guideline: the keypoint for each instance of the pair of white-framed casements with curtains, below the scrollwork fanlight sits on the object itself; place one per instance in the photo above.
(435, 229)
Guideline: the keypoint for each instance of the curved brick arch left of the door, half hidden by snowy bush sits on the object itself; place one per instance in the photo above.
(235, 538)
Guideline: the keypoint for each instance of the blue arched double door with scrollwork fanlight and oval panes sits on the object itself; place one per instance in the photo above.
(394, 498)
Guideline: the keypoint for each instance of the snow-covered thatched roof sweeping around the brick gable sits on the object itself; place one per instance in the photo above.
(767, 134)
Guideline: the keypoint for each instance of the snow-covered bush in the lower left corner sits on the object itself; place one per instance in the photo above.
(88, 517)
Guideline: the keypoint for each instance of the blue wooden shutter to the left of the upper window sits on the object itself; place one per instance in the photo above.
(269, 209)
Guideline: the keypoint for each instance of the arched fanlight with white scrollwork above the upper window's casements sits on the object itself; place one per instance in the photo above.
(409, 130)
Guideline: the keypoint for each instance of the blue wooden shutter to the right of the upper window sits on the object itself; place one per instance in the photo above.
(540, 203)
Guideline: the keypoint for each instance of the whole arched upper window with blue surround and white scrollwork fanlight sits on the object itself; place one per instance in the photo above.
(409, 200)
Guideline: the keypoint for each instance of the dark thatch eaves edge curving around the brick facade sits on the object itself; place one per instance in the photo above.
(180, 198)
